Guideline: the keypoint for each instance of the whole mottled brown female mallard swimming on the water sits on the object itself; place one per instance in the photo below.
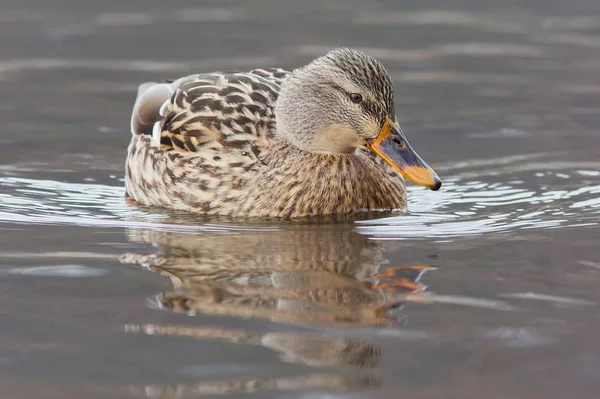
(322, 139)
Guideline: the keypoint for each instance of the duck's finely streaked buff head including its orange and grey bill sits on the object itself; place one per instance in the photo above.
(344, 101)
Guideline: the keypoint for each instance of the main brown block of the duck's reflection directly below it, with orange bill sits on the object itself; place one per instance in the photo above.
(310, 275)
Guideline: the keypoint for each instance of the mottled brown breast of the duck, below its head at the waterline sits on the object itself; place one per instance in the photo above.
(296, 183)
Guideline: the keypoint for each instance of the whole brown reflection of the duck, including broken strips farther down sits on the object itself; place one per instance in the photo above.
(310, 275)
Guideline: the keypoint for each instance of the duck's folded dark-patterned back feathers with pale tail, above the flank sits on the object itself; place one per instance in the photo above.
(186, 113)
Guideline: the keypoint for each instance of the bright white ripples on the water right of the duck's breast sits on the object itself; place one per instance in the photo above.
(477, 207)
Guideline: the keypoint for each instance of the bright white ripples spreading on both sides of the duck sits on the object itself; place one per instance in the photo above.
(533, 199)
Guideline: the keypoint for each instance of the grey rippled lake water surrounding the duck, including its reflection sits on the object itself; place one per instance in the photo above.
(489, 287)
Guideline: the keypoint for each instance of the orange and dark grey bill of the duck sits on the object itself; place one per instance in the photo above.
(392, 146)
